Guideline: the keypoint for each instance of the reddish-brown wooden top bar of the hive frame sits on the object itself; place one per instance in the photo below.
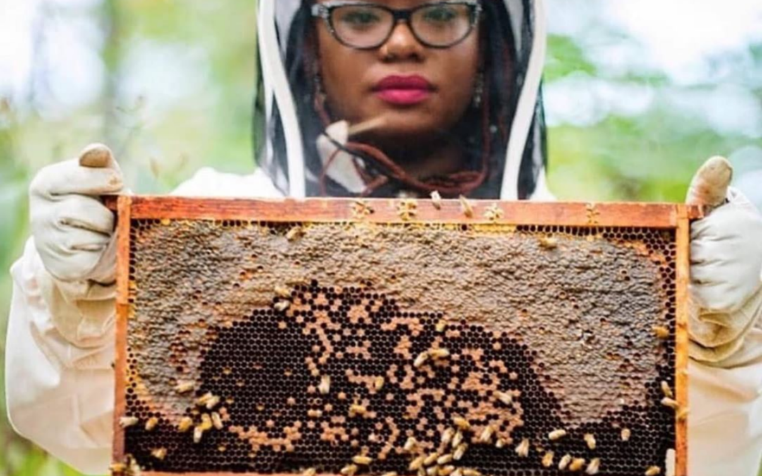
(656, 215)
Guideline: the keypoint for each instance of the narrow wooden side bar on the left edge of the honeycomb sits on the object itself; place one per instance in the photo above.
(122, 315)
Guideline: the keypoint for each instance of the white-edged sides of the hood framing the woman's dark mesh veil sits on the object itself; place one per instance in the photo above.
(524, 158)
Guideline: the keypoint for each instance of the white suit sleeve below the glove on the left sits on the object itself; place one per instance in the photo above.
(60, 394)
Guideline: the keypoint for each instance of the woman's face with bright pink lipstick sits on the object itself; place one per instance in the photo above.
(421, 92)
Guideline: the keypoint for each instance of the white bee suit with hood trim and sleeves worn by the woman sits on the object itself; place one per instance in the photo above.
(59, 380)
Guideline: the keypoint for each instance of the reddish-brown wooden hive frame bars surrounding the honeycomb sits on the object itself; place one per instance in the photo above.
(675, 217)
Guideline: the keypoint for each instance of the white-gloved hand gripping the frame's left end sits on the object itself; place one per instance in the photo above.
(72, 229)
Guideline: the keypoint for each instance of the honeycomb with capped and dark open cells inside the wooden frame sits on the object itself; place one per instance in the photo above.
(429, 349)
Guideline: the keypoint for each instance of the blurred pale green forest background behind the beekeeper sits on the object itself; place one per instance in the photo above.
(639, 93)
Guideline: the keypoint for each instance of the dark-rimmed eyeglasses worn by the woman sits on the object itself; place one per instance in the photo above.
(367, 26)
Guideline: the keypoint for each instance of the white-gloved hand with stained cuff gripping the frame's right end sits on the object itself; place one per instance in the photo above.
(726, 264)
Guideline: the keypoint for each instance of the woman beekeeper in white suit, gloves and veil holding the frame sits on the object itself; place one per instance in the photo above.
(439, 95)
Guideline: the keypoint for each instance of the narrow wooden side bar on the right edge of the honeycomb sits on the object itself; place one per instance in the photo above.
(681, 340)
